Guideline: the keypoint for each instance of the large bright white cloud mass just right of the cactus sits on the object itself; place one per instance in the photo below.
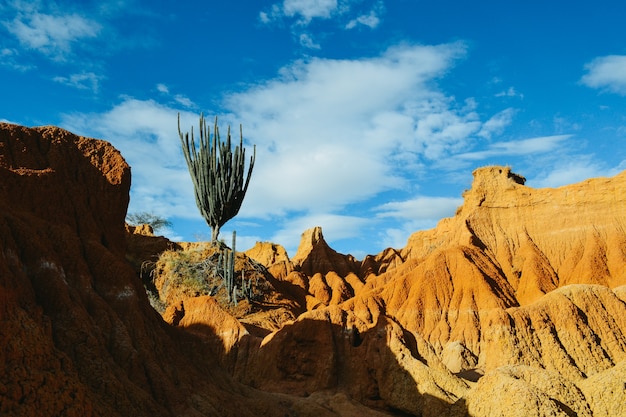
(328, 132)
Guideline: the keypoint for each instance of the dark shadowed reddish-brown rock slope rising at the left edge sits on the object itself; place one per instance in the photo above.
(77, 334)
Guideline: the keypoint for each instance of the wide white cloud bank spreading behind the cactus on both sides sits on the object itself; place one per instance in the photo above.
(329, 133)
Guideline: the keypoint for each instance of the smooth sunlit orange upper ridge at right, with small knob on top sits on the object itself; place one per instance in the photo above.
(541, 238)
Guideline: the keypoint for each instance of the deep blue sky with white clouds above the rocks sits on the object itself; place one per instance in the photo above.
(368, 116)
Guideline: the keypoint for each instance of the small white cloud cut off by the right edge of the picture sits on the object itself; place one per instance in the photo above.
(607, 73)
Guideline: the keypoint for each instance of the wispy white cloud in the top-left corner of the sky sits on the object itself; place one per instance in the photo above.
(49, 34)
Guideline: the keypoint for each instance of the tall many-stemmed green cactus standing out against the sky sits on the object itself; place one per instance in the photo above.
(217, 174)
